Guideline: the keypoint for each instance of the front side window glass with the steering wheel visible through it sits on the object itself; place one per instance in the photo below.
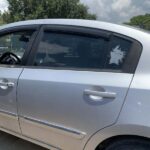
(14, 45)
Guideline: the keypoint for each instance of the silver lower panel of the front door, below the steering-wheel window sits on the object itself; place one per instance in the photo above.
(8, 105)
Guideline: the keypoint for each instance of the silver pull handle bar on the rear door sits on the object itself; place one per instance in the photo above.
(109, 95)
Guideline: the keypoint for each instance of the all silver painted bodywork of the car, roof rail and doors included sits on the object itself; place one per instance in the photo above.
(57, 96)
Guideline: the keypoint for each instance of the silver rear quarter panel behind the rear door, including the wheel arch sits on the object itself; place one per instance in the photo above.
(134, 118)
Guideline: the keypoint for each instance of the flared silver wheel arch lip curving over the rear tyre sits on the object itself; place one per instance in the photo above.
(117, 132)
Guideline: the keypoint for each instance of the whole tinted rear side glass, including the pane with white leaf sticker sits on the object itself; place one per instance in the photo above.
(81, 52)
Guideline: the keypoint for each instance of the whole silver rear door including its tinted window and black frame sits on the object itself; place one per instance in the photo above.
(76, 85)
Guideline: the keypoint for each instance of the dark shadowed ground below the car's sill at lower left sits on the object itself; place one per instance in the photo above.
(9, 142)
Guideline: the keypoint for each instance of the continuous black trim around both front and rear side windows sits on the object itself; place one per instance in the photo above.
(27, 61)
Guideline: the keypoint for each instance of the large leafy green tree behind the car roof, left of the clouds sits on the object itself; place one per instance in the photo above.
(37, 9)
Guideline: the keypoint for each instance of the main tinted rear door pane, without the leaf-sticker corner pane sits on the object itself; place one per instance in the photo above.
(71, 51)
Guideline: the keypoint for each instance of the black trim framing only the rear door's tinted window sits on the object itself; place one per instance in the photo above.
(136, 48)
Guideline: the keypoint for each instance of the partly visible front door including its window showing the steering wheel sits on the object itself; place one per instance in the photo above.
(14, 46)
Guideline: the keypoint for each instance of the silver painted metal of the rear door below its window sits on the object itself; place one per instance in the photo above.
(57, 96)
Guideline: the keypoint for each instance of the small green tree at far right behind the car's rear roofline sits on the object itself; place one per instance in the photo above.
(142, 21)
